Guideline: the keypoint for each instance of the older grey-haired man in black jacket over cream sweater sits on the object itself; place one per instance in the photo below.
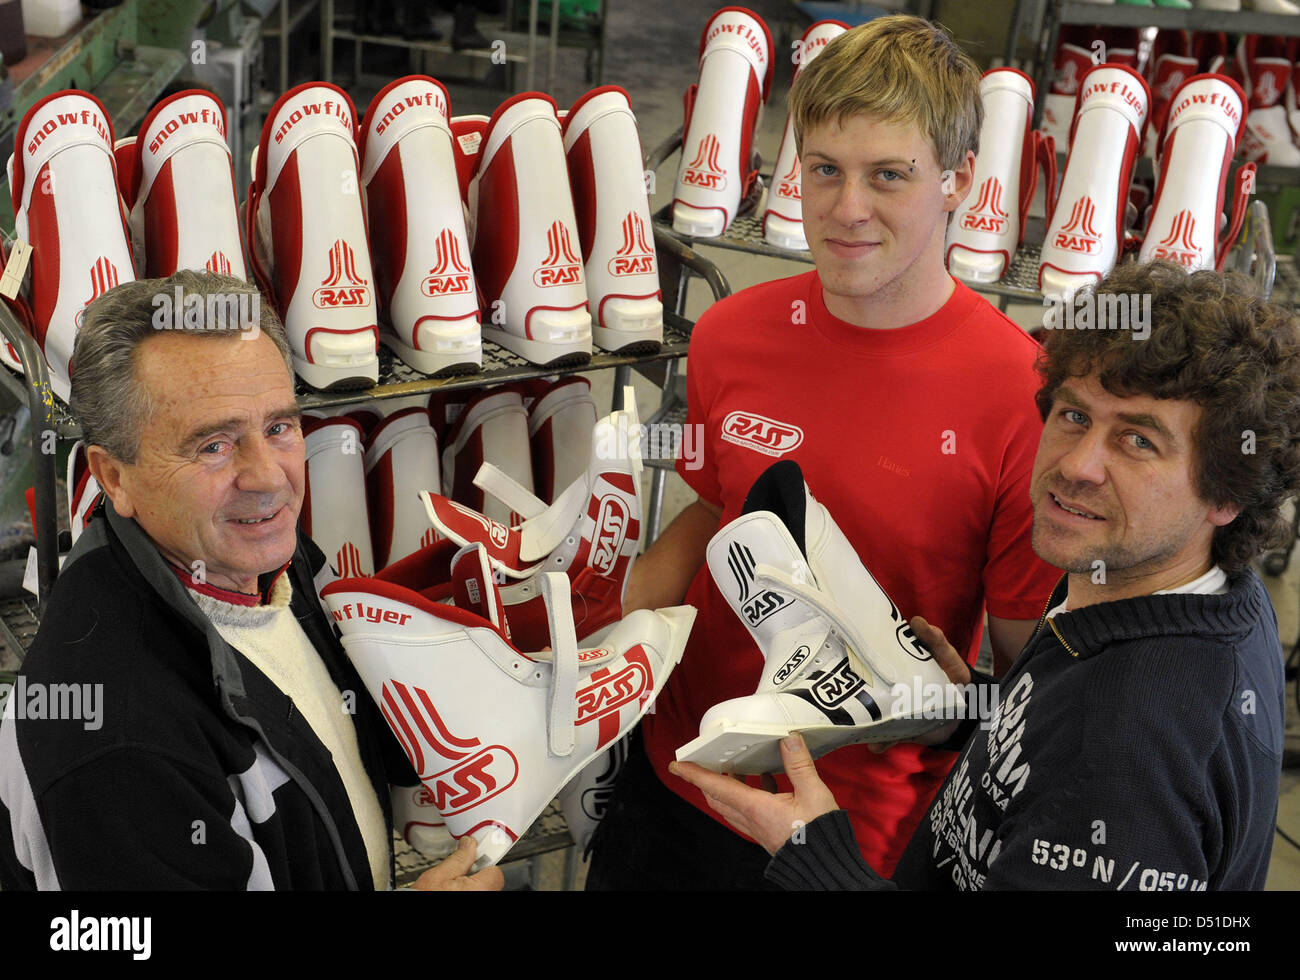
(237, 748)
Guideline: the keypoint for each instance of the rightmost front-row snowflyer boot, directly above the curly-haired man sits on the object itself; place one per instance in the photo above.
(1207, 118)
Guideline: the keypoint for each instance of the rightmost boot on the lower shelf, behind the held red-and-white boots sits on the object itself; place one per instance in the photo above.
(560, 433)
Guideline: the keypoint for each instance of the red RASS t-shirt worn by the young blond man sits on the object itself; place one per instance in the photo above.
(920, 443)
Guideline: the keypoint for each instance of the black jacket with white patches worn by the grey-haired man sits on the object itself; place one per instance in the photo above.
(198, 773)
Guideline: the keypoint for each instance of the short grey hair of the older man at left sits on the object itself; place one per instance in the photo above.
(107, 398)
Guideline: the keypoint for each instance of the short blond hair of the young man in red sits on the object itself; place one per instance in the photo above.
(902, 70)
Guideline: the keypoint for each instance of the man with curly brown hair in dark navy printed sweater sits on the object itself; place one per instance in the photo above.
(1139, 739)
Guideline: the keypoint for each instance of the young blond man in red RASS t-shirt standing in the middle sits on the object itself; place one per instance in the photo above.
(908, 404)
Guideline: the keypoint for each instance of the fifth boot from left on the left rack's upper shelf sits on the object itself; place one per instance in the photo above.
(526, 242)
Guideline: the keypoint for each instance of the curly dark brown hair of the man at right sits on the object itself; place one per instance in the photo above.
(1214, 342)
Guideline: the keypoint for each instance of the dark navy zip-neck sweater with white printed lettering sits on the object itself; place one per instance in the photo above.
(1138, 747)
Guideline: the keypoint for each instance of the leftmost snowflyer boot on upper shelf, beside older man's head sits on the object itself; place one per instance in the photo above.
(63, 183)
